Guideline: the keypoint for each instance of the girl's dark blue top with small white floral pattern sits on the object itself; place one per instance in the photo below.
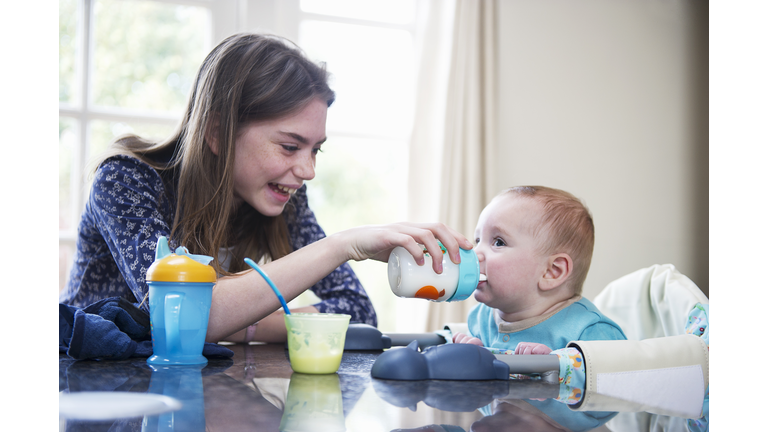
(129, 208)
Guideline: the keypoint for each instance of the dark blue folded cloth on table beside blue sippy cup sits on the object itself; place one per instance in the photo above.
(113, 328)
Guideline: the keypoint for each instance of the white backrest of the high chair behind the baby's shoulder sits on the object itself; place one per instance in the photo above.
(651, 302)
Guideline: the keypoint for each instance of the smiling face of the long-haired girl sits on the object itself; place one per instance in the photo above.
(273, 158)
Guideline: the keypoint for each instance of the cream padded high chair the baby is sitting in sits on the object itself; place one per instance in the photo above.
(659, 369)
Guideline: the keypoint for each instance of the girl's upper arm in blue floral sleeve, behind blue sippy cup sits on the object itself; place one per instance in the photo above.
(126, 212)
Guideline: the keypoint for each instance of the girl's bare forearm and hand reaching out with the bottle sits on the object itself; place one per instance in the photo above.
(243, 299)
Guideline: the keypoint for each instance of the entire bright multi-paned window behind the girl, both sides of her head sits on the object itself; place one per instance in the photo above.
(127, 66)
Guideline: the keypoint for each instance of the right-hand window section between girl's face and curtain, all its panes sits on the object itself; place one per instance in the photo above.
(362, 172)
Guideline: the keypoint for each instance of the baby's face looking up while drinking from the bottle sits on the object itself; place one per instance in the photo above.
(507, 253)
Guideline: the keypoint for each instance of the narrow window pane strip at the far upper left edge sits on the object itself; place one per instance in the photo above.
(68, 18)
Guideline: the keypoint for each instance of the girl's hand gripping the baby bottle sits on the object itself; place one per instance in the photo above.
(377, 241)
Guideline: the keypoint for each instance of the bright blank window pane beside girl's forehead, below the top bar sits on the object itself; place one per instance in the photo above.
(373, 76)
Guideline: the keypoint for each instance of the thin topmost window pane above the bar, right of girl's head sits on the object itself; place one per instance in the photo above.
(390, 11)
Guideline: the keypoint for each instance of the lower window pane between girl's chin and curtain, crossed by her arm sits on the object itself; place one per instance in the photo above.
(359, 182)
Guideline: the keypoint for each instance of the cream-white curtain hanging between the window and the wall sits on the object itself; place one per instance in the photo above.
(452, 148)
